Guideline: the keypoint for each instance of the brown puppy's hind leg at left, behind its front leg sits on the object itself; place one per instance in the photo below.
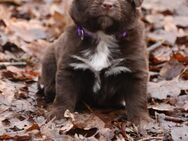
(48, 75)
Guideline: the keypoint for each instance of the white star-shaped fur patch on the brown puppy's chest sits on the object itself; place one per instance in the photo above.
(100, 59)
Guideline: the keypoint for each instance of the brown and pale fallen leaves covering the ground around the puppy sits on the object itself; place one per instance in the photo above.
(27, 27)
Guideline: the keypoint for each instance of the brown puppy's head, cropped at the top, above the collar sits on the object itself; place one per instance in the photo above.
(105, 15)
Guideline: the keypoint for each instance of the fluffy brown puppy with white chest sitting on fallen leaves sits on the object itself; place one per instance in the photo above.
(100, 60)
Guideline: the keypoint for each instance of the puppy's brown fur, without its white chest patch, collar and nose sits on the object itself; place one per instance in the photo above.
(69, 87)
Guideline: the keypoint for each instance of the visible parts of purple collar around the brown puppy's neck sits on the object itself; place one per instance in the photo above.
(82, 33)
